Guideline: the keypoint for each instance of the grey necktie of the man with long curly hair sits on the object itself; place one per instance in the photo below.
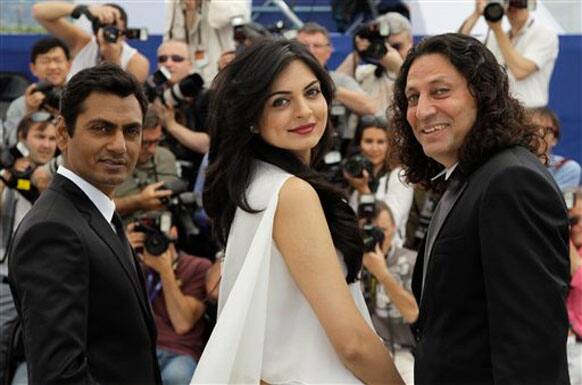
(444, 206)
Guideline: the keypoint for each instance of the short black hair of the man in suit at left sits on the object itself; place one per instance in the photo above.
(105, 79)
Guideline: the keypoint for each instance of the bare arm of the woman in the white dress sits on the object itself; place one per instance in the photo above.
(304, 239)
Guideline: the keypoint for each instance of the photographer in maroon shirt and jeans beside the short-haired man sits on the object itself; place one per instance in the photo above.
(176, 284)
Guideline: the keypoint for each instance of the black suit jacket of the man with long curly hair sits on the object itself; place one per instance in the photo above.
(493, 306)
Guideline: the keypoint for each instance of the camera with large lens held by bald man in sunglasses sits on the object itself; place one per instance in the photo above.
(157, 87)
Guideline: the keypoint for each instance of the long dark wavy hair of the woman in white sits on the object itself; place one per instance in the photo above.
(239, 95)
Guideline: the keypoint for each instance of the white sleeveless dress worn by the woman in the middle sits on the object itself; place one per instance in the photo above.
(266, 329)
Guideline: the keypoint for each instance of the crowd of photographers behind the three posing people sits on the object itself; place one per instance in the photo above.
(161, 202)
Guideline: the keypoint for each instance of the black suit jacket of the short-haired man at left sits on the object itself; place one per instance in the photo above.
(85, 314)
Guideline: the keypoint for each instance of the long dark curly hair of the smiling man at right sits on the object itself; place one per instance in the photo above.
(501, 120)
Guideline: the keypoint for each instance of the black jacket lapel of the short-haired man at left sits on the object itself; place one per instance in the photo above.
(103, 229)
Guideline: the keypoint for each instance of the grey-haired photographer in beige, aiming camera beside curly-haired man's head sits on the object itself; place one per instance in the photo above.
(382, 45)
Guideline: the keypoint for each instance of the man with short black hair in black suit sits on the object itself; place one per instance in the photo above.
(82, 303)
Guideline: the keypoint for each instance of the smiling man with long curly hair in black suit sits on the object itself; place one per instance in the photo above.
(492, 274)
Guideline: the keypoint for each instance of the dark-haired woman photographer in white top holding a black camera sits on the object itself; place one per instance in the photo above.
(371, 172)
